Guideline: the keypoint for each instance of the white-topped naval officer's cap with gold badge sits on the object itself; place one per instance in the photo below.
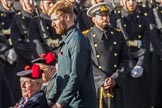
(99, 9)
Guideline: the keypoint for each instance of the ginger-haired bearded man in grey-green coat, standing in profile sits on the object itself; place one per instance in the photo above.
(74, 87)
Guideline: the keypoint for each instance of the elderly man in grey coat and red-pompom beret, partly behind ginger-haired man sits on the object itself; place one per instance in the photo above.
(47, 63)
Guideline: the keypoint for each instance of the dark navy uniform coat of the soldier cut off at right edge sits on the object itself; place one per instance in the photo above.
(156, 40)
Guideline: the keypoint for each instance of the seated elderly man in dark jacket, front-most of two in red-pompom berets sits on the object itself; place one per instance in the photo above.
(32, 96)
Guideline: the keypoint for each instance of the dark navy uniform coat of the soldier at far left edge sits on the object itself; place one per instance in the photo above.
(6, 96)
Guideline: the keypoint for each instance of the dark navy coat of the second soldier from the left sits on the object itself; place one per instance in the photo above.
(21, 45)
